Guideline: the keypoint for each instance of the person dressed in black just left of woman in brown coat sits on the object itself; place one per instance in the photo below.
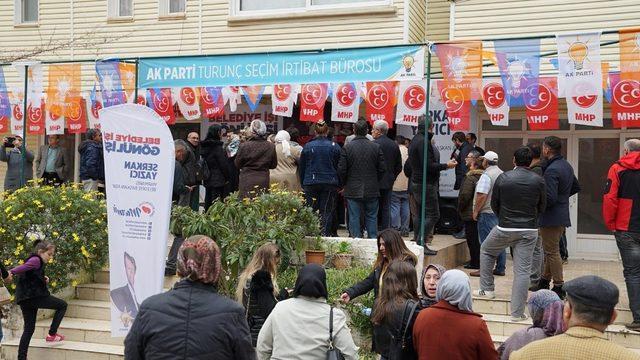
(213, 154)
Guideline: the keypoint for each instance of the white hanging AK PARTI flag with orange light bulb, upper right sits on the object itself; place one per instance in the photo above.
(579, 67)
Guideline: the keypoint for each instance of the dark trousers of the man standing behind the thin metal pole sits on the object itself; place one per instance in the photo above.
(432, 209)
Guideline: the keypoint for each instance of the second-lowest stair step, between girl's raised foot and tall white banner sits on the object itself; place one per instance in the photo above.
(81, 330)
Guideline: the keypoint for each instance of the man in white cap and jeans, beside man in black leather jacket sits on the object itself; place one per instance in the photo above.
(482, 212)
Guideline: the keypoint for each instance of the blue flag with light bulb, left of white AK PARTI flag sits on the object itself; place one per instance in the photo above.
(519, 63)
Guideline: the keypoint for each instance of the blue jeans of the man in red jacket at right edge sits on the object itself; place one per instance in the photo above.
(629, 246)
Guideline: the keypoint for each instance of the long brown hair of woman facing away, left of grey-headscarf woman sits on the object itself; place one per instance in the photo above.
(399, 284)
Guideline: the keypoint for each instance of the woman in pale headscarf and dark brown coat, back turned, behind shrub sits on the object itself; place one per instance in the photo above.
(255, 157)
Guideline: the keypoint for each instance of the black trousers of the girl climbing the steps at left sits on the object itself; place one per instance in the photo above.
(29, 313)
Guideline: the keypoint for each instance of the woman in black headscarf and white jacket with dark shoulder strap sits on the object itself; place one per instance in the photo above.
(298, 328)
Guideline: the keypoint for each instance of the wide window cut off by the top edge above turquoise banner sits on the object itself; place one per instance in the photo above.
(302, 5)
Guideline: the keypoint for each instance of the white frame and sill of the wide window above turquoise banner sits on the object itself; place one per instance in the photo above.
(309, 8)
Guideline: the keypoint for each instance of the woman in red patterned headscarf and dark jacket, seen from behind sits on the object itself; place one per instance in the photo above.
(179, 324)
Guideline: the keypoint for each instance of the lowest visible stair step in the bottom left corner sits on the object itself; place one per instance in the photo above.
(66, 350)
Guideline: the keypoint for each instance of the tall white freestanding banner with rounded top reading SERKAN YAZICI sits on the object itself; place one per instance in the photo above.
(138, 148)
